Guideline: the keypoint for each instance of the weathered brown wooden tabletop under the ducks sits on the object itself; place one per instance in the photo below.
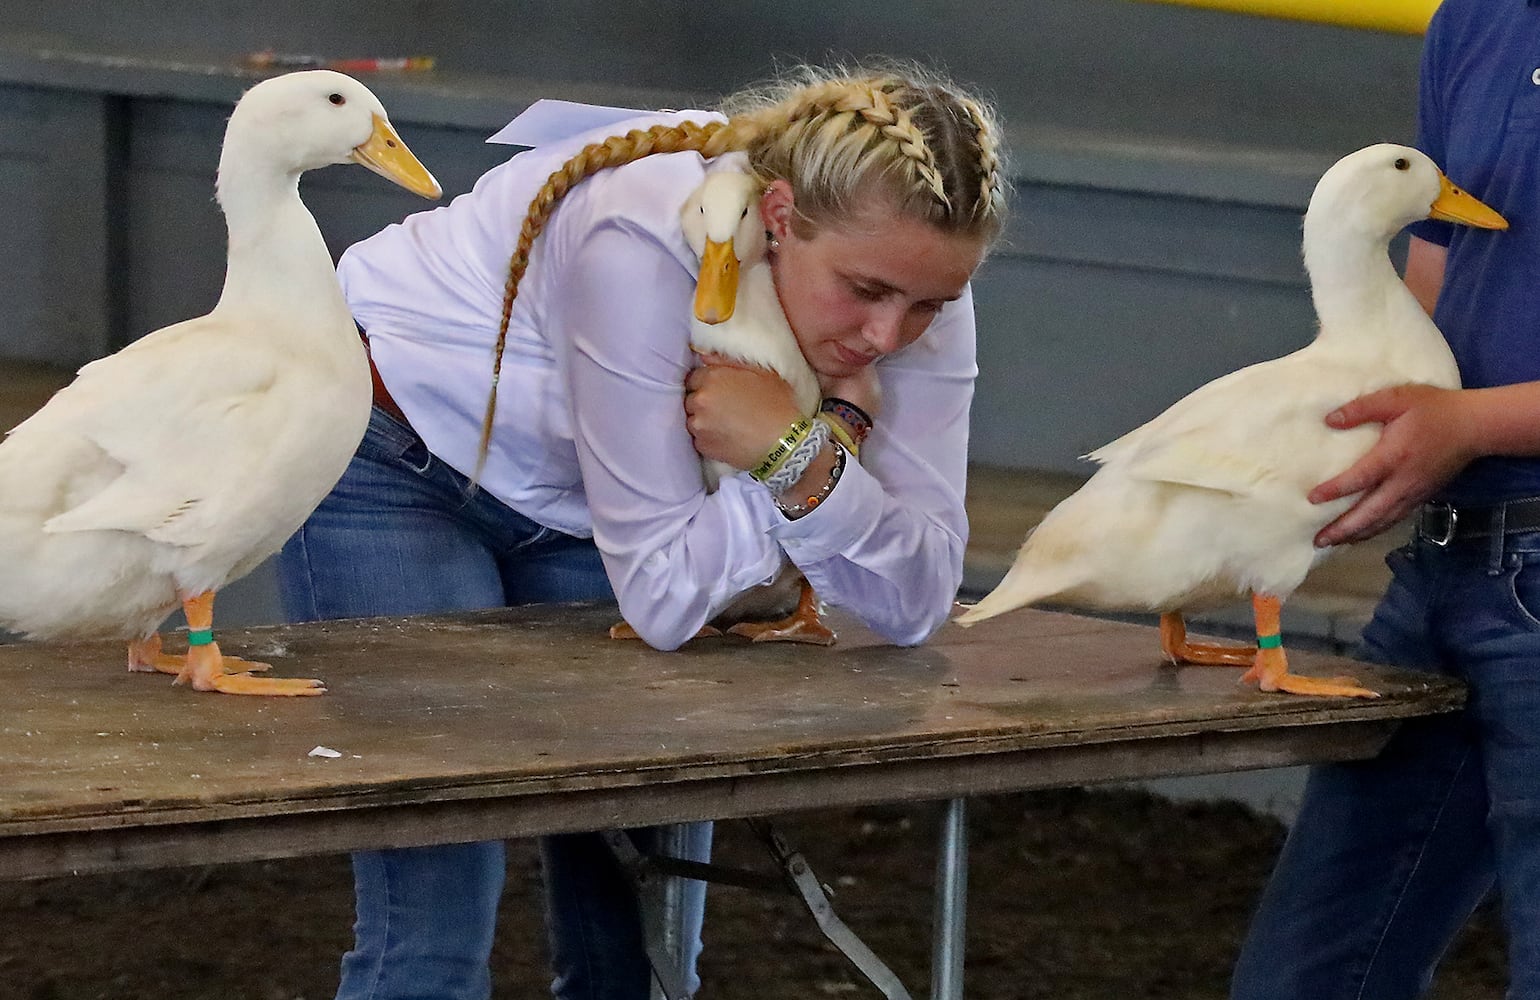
(523, 722)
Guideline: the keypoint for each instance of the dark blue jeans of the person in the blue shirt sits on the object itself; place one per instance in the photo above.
(1390, 857)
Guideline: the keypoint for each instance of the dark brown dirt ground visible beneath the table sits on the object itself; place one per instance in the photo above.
(1074, 894)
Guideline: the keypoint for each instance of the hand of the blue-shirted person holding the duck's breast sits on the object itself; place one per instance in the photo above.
(1427, 440)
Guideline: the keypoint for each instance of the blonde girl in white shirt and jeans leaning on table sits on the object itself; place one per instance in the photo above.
(882, 193)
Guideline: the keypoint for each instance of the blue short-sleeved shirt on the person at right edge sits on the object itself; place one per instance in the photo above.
(1479, 119)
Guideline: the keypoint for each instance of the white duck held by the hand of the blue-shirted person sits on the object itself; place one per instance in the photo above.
(1207, 503)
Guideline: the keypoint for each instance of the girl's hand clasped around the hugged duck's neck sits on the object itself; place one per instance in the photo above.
(734, 412)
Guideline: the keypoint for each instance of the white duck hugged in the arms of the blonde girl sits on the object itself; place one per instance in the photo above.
(738, 315)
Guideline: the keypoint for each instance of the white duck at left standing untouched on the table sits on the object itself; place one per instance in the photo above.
(186, 460)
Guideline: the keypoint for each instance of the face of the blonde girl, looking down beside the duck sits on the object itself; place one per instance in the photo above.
(865, 289)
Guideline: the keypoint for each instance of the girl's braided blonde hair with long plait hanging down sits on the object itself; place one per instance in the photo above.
(842, 138)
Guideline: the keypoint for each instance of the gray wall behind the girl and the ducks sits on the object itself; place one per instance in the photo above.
(1162, 159)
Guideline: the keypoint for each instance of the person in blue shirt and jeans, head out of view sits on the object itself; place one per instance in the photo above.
(1390, 857)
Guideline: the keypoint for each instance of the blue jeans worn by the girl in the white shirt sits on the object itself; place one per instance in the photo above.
(400, 537)
